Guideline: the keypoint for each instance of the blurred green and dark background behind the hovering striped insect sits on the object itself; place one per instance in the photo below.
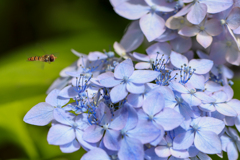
(26, 27)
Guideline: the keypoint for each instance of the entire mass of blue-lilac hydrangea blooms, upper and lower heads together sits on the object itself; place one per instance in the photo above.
(164, 104)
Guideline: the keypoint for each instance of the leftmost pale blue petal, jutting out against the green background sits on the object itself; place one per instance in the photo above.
(40, 115)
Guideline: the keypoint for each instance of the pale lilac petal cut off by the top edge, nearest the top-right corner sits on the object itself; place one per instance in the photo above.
(215, 6)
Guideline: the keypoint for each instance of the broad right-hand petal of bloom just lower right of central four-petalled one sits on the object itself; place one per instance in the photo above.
(169, 119)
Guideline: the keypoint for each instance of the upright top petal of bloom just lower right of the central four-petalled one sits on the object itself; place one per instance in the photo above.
(153, 104)
